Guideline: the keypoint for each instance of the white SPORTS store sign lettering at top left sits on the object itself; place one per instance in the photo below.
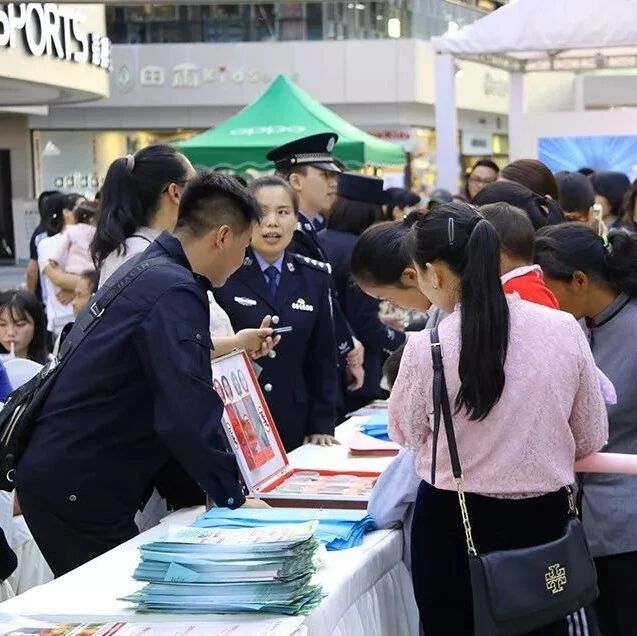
(53, 31)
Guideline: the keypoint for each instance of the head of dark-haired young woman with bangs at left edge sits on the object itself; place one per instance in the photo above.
(22, 326)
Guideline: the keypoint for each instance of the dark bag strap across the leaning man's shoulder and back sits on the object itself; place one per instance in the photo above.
(91, 314)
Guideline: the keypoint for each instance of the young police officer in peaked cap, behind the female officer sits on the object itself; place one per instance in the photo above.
(308, 165)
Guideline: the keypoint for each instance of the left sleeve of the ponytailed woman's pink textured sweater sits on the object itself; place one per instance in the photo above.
(411, 394)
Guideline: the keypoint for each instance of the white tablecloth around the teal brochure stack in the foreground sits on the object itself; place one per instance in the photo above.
(368, 587)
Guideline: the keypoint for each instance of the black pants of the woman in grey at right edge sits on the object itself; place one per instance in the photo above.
(617, 575)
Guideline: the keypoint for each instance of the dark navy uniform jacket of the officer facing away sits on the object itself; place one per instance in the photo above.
(361, 311)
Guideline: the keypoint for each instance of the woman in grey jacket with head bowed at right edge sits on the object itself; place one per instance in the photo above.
(595, 278)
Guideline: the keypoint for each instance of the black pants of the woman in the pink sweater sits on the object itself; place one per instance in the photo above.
(439, 562)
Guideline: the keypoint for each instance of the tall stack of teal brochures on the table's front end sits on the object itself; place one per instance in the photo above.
(230, 570)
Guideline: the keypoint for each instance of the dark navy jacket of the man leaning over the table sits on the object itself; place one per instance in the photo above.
(137, 392)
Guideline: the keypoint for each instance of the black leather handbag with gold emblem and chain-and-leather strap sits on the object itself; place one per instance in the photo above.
(516, 591)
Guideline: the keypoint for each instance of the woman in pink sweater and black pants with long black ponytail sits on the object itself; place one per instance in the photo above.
(518, 431)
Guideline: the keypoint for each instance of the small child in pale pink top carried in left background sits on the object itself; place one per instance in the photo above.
(73, 254)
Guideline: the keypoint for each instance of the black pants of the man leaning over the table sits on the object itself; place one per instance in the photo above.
(67, 544)
